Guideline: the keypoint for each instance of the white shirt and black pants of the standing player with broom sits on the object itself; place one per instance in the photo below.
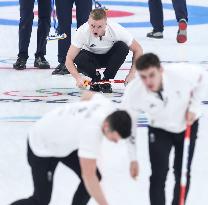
(166, 110)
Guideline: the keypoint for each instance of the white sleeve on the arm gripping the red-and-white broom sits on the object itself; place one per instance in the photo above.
(199, 89)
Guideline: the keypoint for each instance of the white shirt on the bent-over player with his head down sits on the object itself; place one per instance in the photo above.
(74, 126)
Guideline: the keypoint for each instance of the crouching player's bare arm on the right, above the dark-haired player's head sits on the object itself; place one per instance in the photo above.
(137, 50)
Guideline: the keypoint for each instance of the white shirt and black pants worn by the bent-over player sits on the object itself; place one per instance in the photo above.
(57, 137)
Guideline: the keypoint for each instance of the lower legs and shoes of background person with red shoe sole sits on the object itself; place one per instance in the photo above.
(156, 19)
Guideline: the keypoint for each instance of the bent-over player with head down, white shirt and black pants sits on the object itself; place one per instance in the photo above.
(58, 137)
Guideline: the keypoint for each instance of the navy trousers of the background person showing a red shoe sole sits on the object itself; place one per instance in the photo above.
(156, 12)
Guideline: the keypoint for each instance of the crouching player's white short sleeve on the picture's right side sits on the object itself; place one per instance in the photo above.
(124, 35)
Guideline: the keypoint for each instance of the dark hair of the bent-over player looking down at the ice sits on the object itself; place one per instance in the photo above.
(121, 122)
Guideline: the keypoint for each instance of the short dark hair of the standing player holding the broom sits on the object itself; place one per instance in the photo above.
(147, 60)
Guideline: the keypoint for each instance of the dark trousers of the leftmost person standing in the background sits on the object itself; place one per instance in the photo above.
(26, 22)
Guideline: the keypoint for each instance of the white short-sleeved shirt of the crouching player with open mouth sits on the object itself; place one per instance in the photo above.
(84, 39)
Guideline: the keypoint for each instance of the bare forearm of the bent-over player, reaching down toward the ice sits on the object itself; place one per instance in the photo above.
(88, 168)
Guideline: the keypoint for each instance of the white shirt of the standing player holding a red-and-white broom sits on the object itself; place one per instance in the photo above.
(183, 89)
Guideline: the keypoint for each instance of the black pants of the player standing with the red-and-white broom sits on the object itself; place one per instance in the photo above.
(160, 144)
